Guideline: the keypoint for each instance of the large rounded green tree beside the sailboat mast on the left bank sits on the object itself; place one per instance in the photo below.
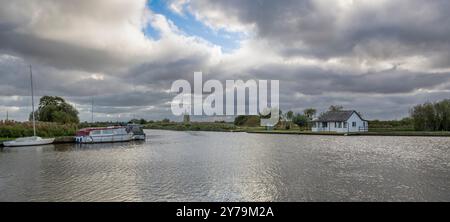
(55, 109)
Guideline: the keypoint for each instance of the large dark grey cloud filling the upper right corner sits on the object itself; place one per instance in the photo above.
(337, 28)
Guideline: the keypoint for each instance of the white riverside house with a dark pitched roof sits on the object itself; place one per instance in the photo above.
(345, 121)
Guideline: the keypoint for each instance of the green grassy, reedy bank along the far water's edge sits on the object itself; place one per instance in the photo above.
(65, 133)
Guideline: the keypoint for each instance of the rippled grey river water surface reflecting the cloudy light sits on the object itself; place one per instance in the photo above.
(212, 166)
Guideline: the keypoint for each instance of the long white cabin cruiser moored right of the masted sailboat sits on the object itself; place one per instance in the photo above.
(103, 135)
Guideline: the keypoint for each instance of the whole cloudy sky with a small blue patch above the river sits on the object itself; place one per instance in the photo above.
(378, 57)
